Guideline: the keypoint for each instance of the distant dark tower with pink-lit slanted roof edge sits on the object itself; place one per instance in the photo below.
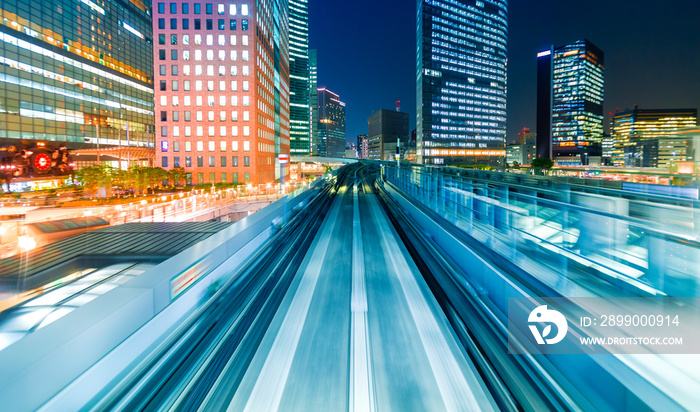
(331, 124)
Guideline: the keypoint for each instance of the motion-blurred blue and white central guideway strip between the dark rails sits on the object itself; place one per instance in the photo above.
(359, 334)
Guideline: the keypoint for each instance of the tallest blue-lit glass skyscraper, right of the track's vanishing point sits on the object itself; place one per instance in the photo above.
(461, 81)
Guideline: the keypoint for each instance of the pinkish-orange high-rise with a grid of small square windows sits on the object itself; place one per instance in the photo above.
(222, 89)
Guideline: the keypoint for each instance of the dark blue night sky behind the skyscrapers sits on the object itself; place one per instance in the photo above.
(367, 52)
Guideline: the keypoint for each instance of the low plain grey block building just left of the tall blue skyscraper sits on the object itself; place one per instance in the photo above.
(384, 129)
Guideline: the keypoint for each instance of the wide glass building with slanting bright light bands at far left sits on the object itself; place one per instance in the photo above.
(78, 73)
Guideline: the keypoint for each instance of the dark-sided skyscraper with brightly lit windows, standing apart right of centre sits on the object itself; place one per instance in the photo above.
(571, 78)
